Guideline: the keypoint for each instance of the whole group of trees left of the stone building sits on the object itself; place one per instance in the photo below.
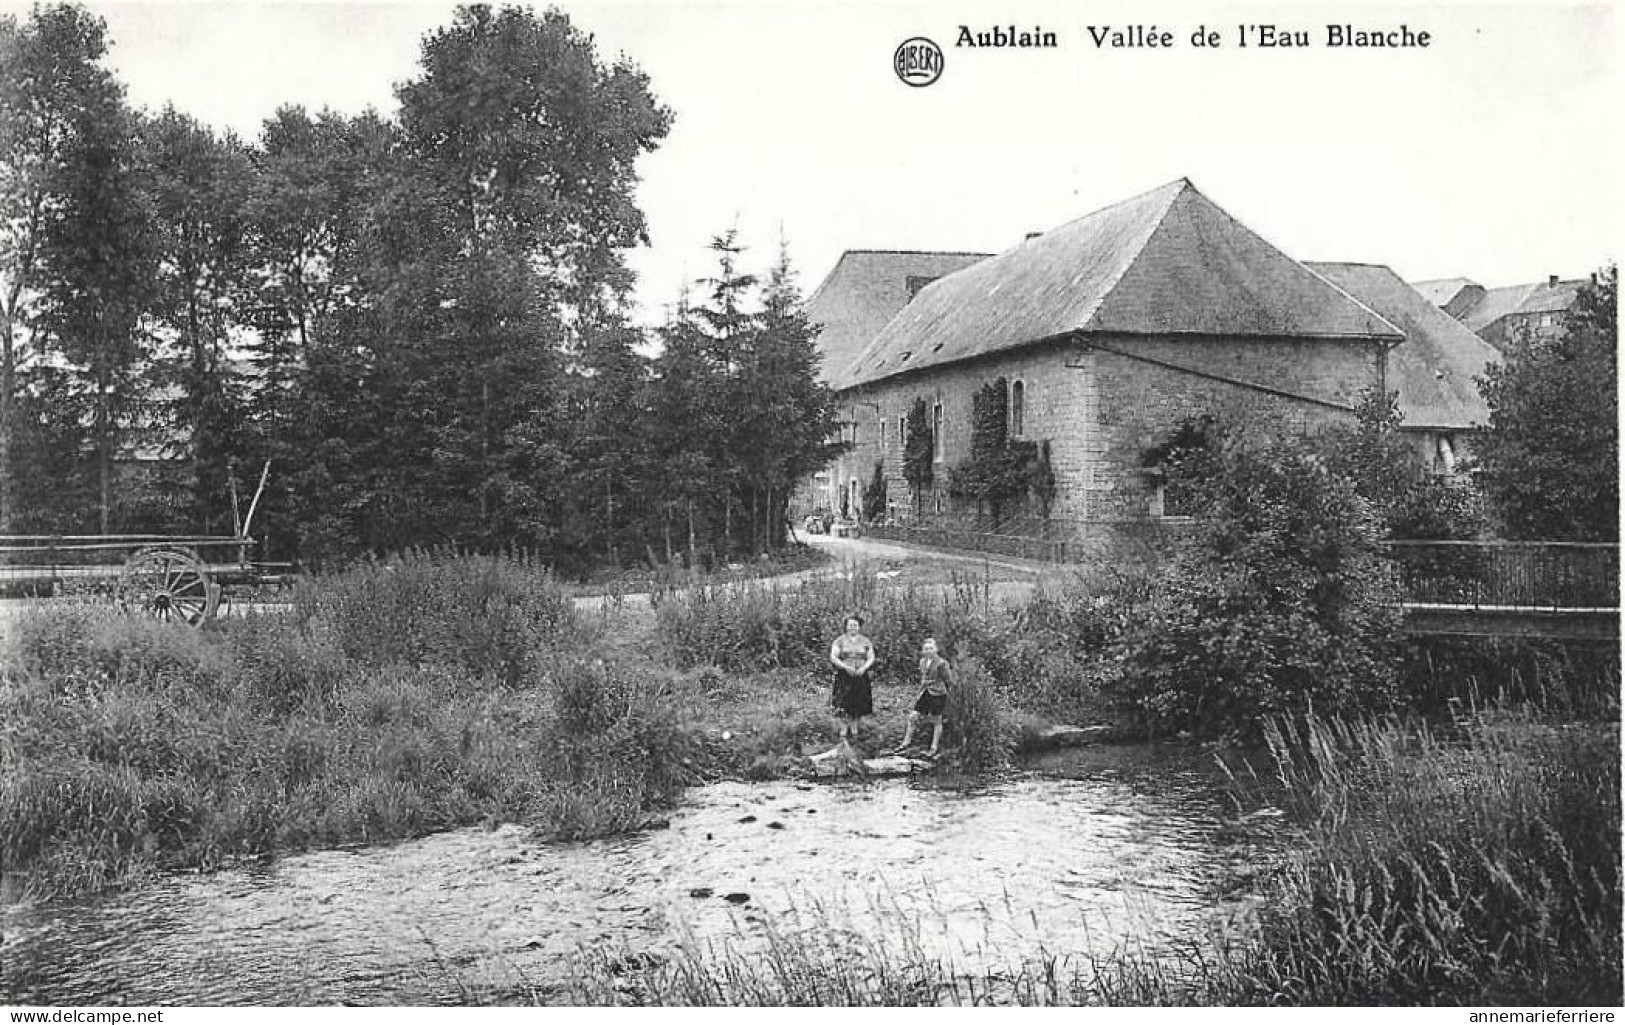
(422, 322)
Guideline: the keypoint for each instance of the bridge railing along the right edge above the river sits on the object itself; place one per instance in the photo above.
(1510, 574)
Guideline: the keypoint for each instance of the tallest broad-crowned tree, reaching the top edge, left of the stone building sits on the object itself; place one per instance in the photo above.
(490, 254)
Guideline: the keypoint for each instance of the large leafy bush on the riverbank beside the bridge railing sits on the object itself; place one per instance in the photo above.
(1280, 602)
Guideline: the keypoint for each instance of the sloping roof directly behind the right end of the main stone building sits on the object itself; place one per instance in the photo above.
(1434, 366)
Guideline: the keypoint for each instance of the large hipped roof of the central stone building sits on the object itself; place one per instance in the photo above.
(1168, 262)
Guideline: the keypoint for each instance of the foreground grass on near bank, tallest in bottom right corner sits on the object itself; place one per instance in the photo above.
(1475, 868)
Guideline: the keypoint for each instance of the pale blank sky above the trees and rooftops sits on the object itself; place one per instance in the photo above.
(1488, 155)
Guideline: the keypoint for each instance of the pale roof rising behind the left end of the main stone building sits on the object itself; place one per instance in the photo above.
(864, 292)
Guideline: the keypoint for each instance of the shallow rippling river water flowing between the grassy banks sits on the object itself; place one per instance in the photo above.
(1086, 854)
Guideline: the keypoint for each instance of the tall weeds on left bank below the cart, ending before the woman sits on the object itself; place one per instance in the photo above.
(381, 707)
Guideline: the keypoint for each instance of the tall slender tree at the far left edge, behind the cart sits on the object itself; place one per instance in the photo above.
(76, 262)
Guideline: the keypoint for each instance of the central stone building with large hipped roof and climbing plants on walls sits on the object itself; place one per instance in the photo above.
(1112, 335)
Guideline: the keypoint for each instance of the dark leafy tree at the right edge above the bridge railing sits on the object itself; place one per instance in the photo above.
(1549, 461)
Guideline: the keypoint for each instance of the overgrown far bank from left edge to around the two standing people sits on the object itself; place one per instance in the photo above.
(415, 696)
